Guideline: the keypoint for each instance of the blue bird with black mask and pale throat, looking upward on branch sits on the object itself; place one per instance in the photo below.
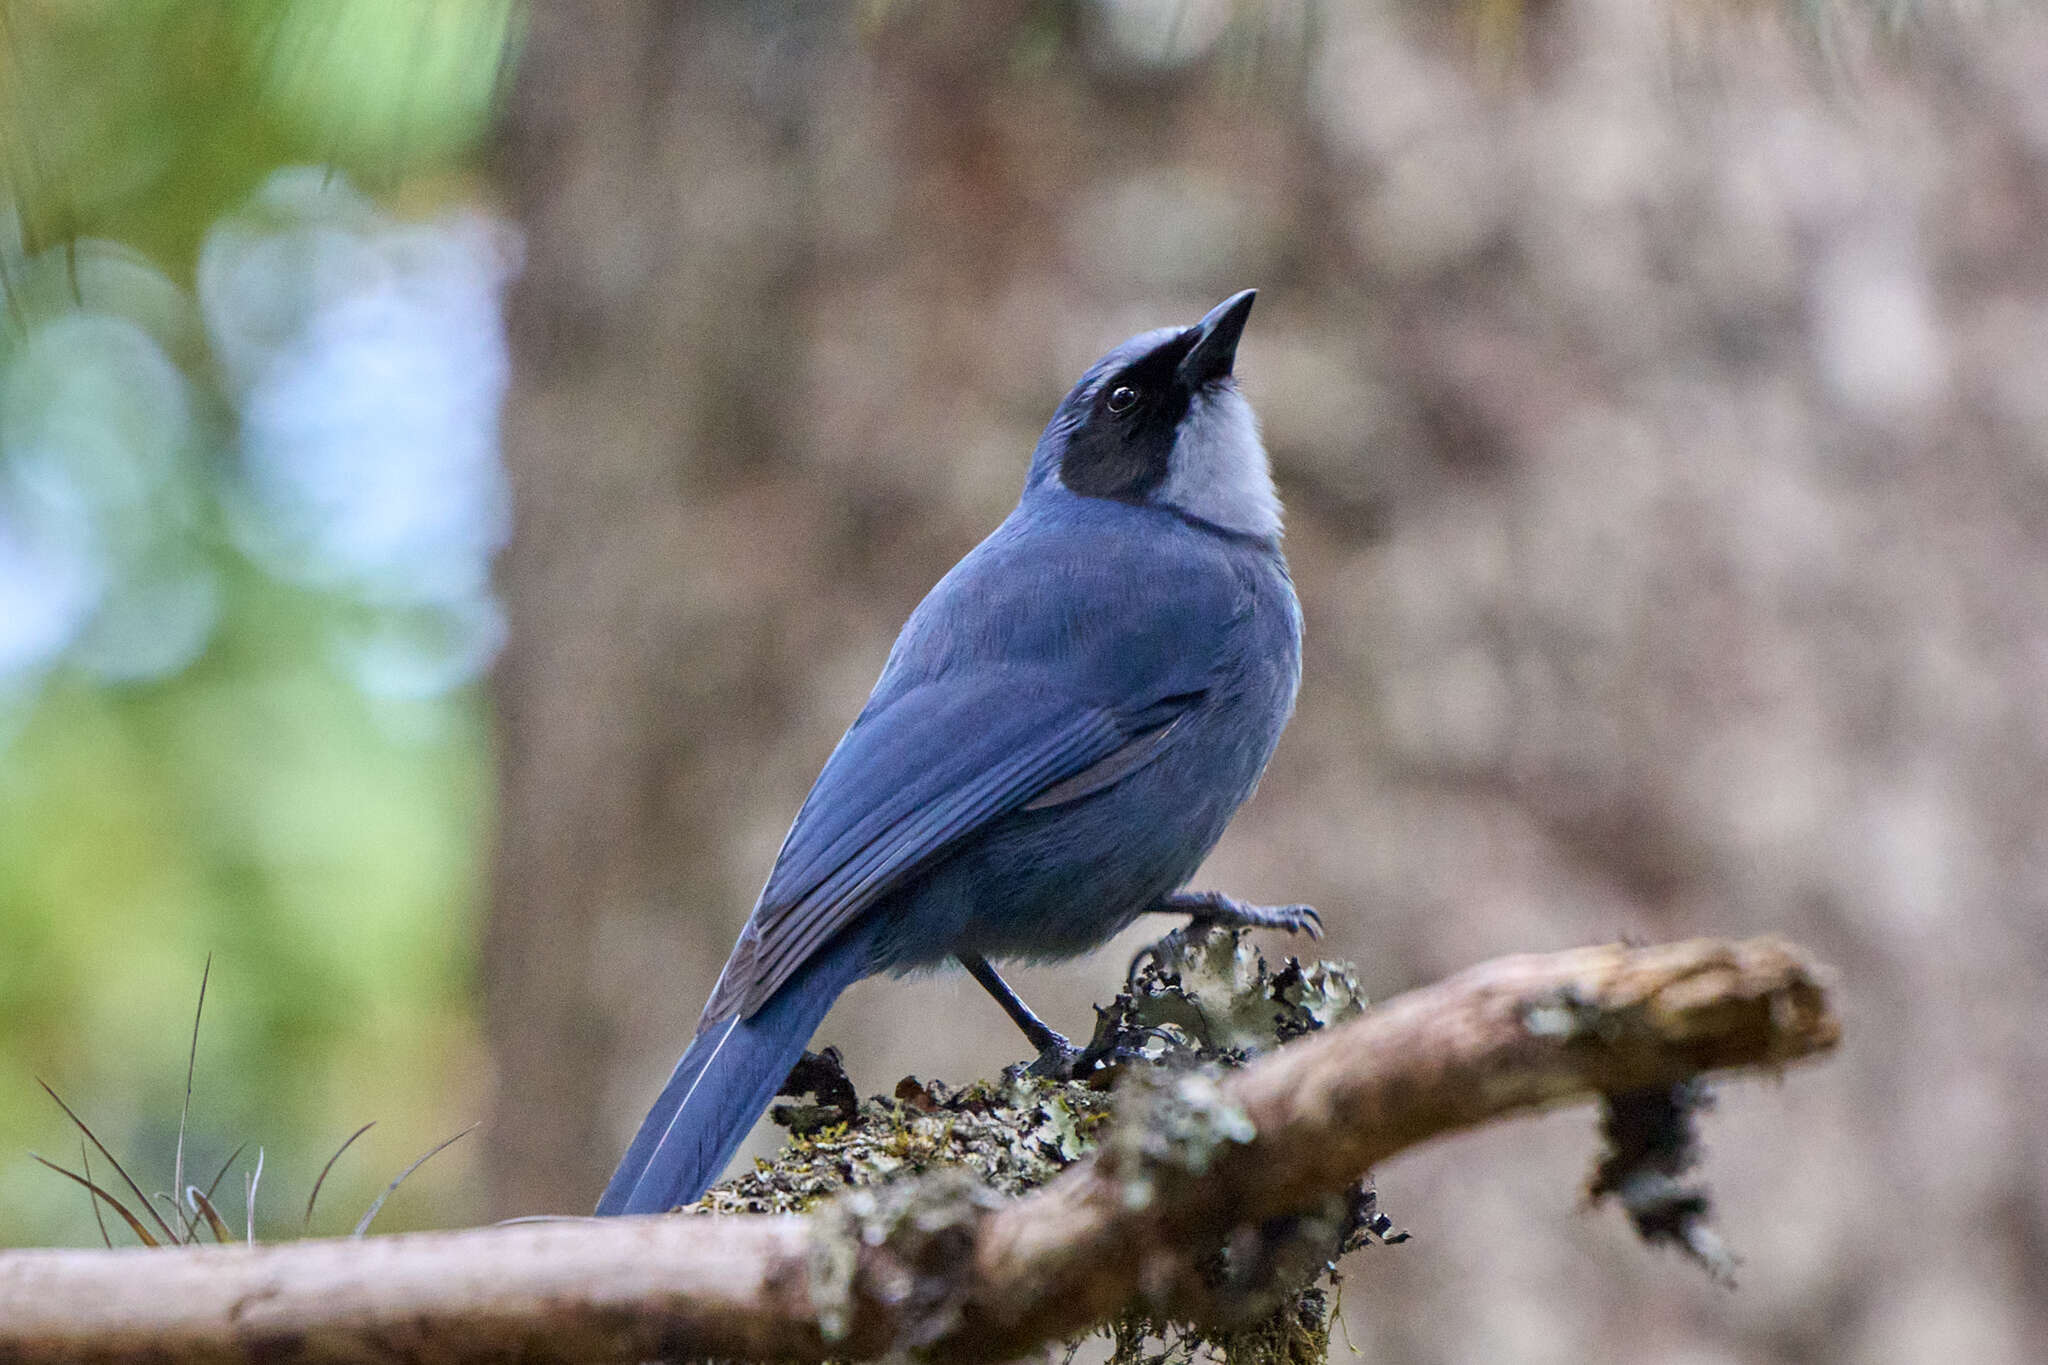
(1058, 740)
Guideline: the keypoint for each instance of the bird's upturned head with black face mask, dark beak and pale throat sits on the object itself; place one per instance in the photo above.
(1160, 421)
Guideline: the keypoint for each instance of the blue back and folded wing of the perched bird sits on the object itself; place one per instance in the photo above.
(1048, 666)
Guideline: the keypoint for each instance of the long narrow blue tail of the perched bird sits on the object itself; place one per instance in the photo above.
(724, 1084)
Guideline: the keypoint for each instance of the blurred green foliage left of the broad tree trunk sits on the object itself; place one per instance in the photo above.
(189, 758)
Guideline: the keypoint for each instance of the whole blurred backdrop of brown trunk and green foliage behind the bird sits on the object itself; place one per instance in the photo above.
(464, 464)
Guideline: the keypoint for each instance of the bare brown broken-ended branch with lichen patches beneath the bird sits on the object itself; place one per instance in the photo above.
(927, 1264)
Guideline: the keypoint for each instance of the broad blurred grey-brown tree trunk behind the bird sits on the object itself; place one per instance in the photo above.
(1660, 425)
